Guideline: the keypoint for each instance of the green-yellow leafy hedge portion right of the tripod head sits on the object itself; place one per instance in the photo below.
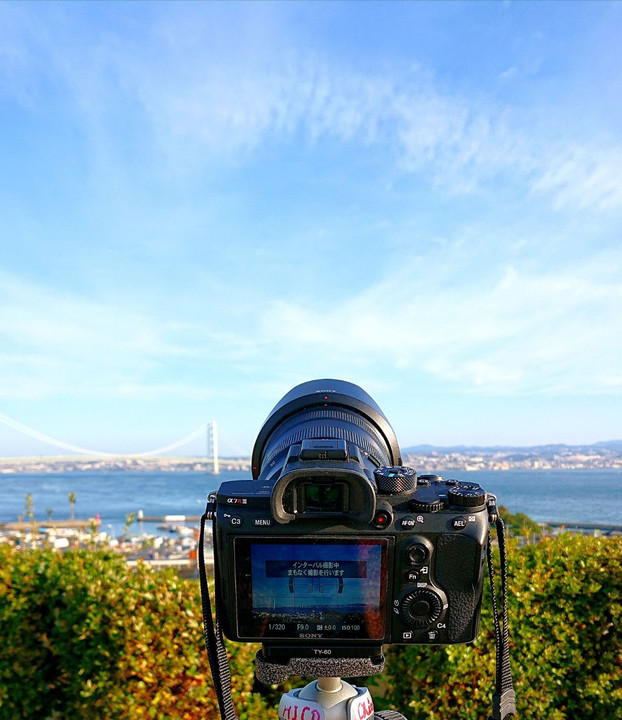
(565, 613)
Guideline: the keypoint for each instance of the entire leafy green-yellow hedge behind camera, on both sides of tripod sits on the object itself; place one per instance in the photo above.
(83, 637)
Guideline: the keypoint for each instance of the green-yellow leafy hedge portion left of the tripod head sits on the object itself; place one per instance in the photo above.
(85, 637)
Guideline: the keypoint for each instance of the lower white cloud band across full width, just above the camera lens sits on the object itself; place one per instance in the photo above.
(506, 330)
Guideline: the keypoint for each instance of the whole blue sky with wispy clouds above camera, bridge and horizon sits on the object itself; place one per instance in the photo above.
(204, 204)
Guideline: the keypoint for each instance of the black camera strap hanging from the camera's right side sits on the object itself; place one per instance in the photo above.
(504, 698)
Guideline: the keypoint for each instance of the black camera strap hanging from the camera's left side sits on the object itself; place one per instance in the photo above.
(216, 651)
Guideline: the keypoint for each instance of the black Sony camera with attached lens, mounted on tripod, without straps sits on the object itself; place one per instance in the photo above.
(335, 548)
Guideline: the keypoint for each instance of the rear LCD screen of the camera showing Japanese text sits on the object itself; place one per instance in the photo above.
(331, 588)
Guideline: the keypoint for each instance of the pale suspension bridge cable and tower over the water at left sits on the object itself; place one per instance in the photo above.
(208, 430)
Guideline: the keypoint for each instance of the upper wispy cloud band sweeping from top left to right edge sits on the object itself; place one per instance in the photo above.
(204, 101)
